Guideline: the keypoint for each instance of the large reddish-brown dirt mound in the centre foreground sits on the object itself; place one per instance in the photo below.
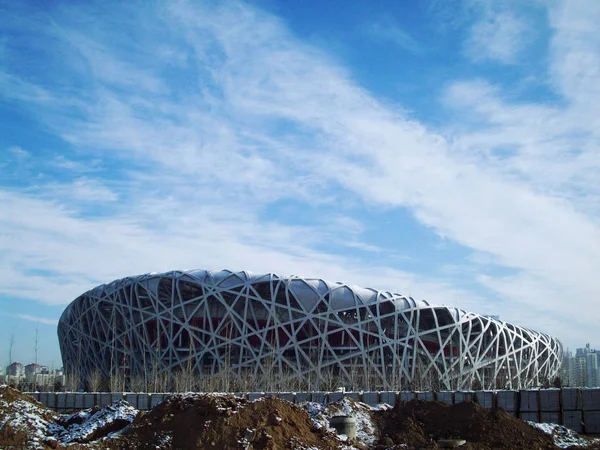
(224, 421)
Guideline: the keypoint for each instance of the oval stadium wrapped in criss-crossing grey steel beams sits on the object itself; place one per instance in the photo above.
(297, 327)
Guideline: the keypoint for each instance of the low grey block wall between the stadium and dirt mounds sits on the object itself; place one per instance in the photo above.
(578, 409)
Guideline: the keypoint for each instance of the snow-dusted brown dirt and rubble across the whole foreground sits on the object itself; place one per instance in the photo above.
(220, 421)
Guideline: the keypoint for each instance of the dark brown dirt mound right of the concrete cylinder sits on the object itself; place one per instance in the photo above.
(420, 424)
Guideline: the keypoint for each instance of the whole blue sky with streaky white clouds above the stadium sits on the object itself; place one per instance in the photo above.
(445, 150)
